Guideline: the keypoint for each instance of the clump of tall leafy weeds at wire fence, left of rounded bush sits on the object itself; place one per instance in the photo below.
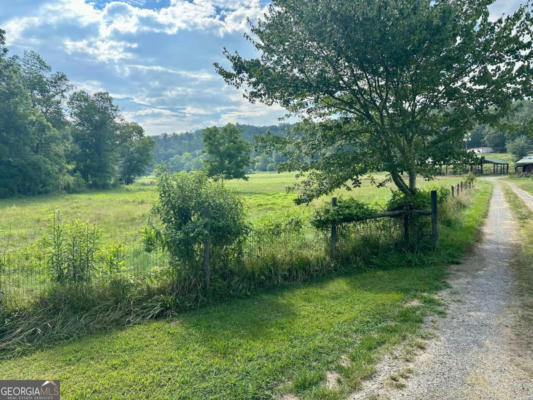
(70, 250)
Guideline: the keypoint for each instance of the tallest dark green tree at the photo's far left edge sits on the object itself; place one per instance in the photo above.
(31, 151)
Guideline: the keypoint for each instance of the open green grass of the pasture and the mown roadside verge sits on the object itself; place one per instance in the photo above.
(279, 341)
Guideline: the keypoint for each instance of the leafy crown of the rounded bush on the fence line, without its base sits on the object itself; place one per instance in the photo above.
(192, 210)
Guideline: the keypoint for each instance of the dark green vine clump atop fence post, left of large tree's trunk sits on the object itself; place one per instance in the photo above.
(347, 210)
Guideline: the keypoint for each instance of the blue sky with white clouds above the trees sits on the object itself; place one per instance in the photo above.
(155, 57)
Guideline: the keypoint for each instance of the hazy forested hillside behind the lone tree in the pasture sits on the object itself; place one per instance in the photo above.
(186, 151)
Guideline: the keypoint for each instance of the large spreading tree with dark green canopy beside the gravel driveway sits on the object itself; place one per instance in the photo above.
(390, 85)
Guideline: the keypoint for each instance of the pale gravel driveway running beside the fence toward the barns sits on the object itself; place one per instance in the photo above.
(478, 352)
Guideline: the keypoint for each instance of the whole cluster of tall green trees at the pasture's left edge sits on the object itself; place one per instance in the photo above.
(53, 138)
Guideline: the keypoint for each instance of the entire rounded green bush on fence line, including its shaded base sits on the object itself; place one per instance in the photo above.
(201, 224)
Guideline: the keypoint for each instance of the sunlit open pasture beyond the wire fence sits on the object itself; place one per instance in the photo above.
(122, 212)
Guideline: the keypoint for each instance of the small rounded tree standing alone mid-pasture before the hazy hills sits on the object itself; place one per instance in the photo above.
(228, 154)
